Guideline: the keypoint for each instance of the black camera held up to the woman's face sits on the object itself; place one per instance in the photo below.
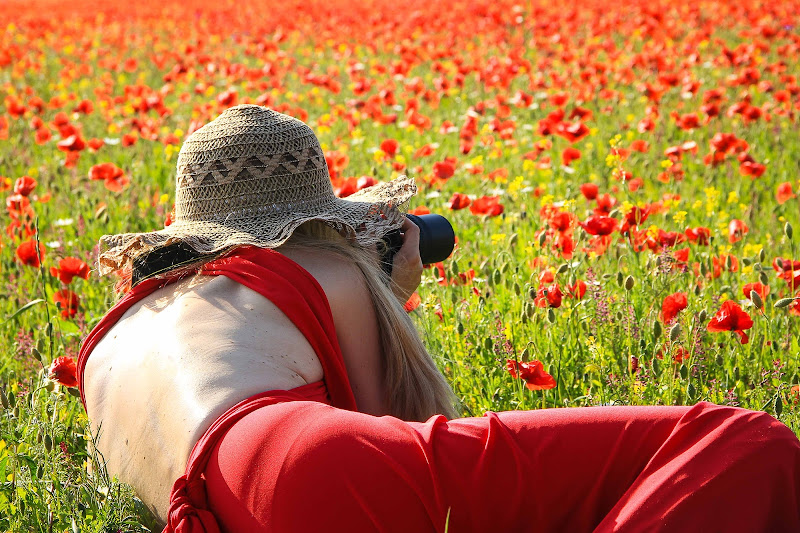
(436, 241)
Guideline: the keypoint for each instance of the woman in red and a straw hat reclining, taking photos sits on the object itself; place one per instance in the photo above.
(260, 344)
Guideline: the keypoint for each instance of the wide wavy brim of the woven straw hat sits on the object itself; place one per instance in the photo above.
(364, 217)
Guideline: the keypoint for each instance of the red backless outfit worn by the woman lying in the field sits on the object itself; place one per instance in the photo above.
(304, 460)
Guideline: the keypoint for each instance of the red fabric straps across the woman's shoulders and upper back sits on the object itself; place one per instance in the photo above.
(288, 285)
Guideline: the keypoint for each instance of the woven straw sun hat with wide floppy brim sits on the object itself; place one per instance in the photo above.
(252, 176)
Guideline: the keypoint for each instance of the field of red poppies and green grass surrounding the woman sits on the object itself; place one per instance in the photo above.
(622, 178)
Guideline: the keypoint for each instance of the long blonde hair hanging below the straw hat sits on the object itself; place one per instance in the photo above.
(415, 388)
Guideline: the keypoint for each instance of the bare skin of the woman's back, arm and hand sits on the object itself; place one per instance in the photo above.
(181, 357)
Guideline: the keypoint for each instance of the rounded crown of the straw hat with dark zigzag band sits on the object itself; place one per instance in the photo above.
(250, 161)
